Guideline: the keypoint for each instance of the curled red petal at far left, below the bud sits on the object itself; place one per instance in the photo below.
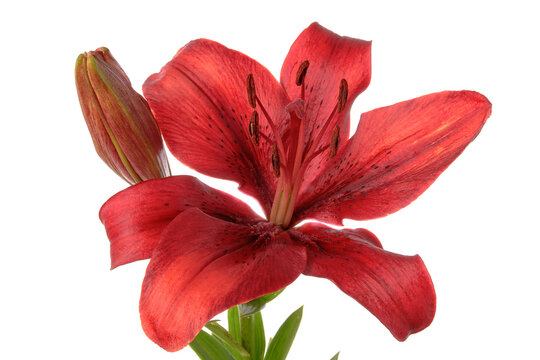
(134, 218)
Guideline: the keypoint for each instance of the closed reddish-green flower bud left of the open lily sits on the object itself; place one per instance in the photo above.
(123, 129)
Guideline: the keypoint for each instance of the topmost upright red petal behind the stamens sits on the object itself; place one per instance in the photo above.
(331, 58)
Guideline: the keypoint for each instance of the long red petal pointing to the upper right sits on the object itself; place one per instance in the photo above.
(396, 154)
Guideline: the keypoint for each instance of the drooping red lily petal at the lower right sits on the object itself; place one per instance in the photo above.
(396, 289)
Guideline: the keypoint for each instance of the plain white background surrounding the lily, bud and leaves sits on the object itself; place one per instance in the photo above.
(476, 228)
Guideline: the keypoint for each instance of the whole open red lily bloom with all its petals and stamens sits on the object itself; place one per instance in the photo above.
(287, 145)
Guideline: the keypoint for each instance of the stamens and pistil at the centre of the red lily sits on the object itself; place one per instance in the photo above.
(291, 159)
